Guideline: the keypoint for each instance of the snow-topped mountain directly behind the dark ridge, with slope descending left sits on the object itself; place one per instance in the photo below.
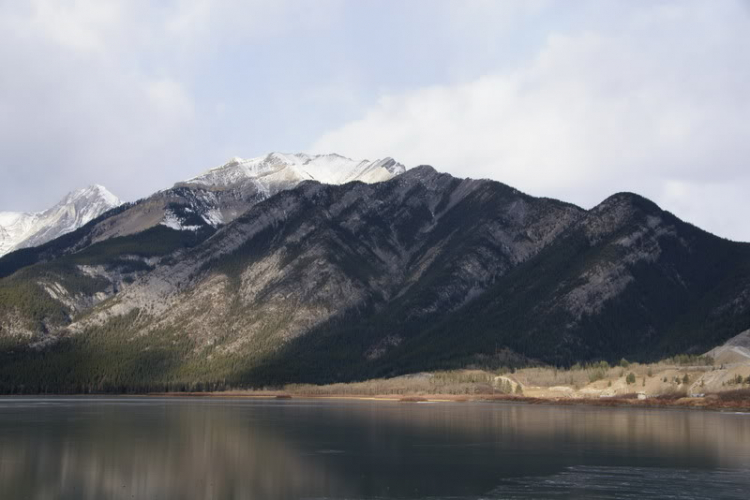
(200, 205)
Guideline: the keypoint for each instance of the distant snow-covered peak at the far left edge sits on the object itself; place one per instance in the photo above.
(22, 230)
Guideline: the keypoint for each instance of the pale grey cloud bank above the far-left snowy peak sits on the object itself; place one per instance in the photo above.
(76, 110)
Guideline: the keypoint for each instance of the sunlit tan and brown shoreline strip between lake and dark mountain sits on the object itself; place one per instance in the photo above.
(687, 383)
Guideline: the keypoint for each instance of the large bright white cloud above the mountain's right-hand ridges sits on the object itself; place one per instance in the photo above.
(660, 101)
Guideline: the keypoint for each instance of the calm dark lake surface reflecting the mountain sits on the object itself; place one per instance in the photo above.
(145, 448)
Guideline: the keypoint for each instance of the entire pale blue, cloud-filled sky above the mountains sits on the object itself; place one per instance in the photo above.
(570, 100)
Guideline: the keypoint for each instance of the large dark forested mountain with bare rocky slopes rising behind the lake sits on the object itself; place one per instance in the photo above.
(322, 283)
